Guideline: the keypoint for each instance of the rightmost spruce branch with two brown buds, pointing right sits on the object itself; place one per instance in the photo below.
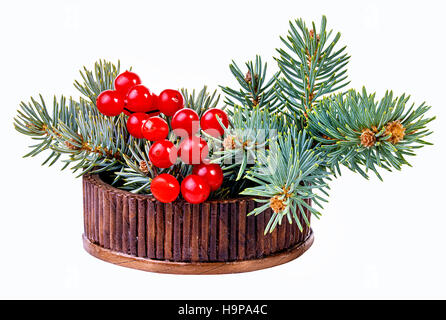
(338, 122)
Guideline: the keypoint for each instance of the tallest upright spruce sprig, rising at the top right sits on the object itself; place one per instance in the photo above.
(310, 66)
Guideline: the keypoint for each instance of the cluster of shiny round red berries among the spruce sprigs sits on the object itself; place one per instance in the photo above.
(143, 109)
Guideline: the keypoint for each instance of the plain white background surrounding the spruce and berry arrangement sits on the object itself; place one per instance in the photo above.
(375, 240)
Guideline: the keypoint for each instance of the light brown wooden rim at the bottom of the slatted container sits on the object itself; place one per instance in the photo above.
(164, 266)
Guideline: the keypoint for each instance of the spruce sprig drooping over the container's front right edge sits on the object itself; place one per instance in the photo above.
(289, 173)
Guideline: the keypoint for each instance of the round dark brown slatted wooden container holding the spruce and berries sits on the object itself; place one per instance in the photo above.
(214, 237)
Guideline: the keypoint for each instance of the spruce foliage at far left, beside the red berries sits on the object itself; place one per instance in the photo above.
(76, 129)
